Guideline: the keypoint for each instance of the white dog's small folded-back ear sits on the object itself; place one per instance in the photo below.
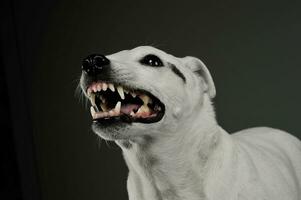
(198, 67)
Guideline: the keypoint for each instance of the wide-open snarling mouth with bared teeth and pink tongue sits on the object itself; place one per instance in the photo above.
(115, 103)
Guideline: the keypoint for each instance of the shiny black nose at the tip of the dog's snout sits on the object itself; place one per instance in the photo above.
(94, 64)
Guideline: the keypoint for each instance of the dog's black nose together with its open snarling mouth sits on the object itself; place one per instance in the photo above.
(113, 101)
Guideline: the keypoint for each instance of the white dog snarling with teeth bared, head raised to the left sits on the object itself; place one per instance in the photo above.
(158, 109)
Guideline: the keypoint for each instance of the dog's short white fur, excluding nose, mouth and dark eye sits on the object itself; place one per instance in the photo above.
(187, 155)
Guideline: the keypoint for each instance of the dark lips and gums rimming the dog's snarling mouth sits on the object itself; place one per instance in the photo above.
(157, 116)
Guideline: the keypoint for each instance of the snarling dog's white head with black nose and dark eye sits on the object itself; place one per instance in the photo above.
(143, 92)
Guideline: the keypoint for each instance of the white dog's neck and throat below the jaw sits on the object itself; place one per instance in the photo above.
(175, 167)
